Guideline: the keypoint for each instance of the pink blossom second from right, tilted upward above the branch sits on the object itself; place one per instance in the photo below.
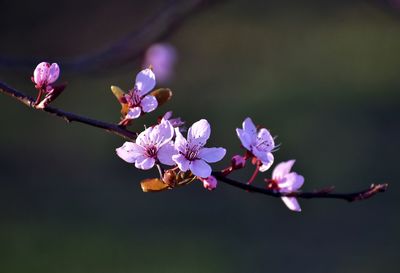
(260, 144)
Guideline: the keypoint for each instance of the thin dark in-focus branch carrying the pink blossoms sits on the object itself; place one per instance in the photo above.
(117, 130)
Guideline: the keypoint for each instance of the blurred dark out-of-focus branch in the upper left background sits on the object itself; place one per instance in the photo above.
(158, 26)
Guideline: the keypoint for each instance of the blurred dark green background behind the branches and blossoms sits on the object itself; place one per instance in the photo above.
(323, 76)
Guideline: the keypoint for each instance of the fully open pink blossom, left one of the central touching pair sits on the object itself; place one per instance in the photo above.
(152, 145)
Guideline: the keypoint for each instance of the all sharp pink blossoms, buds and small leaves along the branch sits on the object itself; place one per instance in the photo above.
(187, 158)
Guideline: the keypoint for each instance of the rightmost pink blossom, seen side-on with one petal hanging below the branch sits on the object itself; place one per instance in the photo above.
(286, 182)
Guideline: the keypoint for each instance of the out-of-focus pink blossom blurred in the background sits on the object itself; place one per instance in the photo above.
(162, 57)
